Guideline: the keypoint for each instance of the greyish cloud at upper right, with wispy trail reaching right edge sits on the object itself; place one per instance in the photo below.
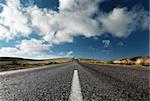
(120, 22)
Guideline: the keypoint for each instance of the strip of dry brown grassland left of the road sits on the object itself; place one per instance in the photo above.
(7, 64)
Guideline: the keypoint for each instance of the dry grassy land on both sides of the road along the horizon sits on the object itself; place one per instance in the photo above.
(8, 63)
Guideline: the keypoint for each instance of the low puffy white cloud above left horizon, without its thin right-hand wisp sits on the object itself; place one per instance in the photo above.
(26, 48)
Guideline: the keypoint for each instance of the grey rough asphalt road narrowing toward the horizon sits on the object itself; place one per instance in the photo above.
(96, 82)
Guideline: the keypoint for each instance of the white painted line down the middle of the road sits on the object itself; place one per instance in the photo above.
(75, 94)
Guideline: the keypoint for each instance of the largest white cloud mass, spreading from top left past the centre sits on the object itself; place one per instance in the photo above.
(72, 19)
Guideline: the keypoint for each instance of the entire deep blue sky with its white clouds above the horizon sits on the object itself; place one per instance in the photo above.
(99, 29)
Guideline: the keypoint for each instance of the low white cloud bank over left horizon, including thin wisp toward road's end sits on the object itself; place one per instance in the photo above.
(33, 48)
